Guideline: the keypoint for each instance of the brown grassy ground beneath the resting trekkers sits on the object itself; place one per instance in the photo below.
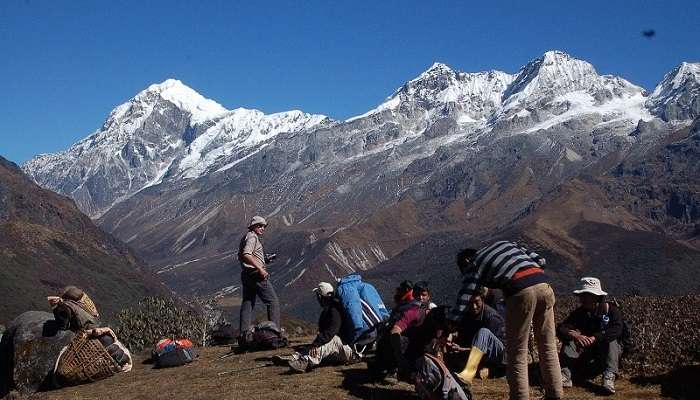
(199, 380)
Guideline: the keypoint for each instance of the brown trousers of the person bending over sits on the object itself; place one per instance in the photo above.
(535, 305)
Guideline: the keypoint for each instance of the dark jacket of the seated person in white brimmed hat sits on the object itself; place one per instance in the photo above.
(590, 324)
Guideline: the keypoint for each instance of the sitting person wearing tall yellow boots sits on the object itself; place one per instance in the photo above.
(481, 332)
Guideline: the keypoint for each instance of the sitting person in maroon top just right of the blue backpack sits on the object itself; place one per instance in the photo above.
(400, 329)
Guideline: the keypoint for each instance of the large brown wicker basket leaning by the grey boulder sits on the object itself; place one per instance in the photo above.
(84, 360)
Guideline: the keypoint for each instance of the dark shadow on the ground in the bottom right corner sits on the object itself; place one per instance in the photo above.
(681, 384)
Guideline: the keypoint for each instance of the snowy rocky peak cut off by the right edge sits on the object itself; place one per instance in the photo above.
(676, 96)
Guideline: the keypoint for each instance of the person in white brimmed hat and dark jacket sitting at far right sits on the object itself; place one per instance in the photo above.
(591, 337)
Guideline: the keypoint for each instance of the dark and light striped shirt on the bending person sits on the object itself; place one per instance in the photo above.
(493, 267)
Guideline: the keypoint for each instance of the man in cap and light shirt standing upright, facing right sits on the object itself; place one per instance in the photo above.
(255, 280)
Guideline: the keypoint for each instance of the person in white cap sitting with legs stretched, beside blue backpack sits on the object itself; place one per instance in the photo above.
(328, 345)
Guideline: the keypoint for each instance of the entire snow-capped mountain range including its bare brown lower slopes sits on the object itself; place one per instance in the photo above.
(448, 153)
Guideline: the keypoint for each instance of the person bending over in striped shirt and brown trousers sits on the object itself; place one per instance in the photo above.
(529, 300)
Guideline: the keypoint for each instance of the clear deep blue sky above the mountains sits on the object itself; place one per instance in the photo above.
(65, 64)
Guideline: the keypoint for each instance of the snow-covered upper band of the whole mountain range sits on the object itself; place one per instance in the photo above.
(170, 132)
